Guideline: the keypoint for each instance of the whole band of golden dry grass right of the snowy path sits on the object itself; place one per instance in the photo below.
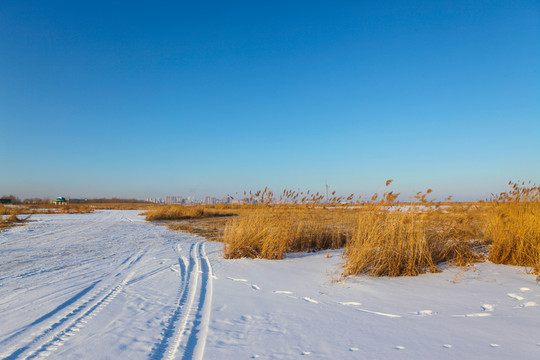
(381, 237)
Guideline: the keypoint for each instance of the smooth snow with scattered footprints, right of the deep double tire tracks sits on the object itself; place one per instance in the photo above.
(297, 309)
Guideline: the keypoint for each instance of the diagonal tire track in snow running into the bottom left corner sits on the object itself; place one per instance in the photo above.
(57, 333)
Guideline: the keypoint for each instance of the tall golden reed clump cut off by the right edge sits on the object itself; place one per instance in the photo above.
(513, 225)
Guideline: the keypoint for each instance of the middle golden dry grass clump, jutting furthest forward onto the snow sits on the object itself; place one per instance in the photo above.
(401, 241)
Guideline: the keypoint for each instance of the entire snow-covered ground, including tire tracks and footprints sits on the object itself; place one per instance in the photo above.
(109, 285)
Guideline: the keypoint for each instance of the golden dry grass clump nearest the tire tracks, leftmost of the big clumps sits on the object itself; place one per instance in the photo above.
(298, 223)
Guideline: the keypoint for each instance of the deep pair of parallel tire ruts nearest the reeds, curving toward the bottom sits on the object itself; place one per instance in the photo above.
(187, 328)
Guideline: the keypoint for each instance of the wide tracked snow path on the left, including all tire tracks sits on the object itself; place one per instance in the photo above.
(102, 285)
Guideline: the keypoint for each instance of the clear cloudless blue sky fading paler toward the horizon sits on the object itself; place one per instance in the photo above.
(153, 98)
